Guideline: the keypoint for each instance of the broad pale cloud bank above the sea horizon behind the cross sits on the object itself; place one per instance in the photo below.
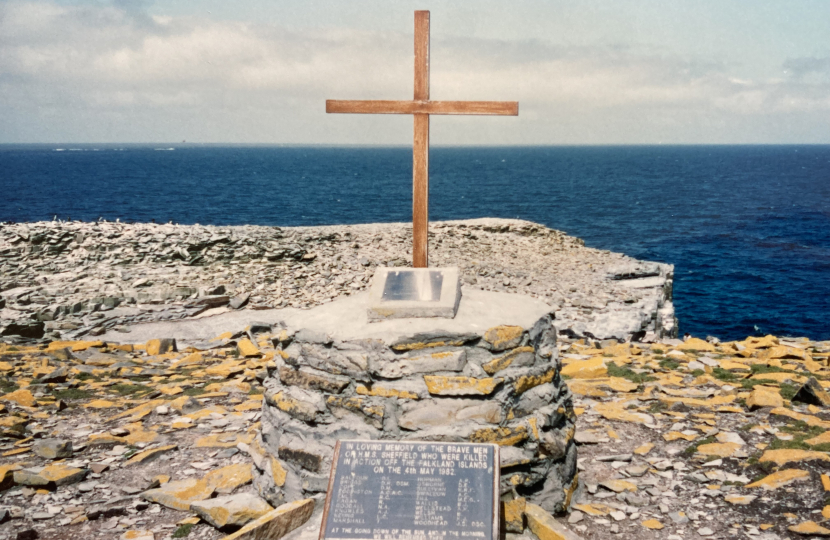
(115, 72)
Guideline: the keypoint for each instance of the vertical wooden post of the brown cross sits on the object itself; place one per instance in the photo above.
(420, 148)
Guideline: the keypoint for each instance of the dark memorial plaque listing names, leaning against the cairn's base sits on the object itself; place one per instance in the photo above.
(393, 490)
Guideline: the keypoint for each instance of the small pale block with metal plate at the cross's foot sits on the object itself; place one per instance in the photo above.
(414, 292)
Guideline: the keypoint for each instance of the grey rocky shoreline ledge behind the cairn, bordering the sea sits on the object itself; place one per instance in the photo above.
(72, 280)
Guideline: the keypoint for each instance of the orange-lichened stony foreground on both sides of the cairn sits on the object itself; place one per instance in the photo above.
(677, 439)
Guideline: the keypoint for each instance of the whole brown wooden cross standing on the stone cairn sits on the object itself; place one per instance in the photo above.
(421, 107)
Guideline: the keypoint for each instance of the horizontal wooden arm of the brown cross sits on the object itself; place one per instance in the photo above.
(498, 108)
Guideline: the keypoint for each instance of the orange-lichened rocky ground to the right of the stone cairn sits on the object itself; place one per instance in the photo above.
(702, 439)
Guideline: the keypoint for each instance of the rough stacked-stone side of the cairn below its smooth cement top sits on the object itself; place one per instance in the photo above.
(502, 386)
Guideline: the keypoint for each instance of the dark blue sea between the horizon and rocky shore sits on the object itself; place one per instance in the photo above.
(747, 227)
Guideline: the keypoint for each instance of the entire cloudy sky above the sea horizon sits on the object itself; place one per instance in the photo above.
(259, 71)
